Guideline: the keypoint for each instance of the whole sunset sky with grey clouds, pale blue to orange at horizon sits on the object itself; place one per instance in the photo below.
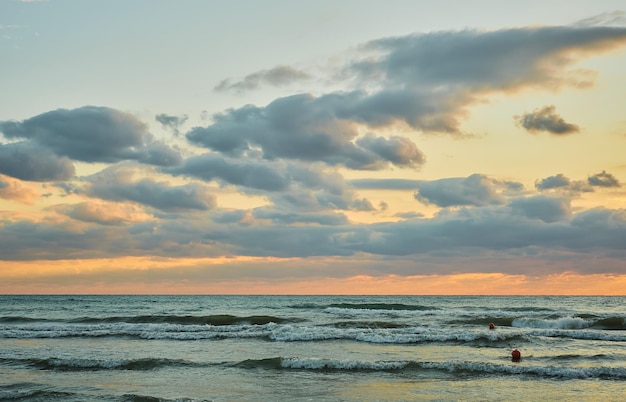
(313, 147)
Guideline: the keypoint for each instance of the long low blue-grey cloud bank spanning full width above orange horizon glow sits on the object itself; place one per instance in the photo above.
(537, 224)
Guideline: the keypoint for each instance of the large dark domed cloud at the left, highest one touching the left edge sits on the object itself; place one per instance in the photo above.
(91, 134)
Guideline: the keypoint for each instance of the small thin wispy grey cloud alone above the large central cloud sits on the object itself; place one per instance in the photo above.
(277, 76)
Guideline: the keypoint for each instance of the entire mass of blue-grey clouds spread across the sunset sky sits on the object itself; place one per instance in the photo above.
(307, 169)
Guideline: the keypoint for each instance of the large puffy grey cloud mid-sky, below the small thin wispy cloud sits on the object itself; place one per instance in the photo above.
(305, 128)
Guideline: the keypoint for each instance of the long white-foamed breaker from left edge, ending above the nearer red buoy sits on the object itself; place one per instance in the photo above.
(361, 331)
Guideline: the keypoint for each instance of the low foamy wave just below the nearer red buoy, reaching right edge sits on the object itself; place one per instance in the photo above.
(454, 368)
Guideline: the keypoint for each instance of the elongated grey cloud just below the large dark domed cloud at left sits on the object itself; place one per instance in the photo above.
(115, 184)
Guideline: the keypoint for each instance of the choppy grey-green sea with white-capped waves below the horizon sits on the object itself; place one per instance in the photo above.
(311, 348)
